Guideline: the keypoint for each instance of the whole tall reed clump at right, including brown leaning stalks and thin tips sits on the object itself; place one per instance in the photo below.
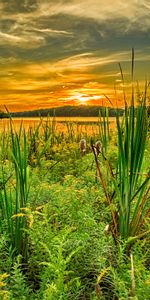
(130, 196)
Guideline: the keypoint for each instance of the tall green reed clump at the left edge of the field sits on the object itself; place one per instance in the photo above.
(14, 199)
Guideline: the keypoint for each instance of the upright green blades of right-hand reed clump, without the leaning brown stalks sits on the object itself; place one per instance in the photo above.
(133, 189)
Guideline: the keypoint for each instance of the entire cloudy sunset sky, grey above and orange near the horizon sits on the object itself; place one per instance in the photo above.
(58, 52)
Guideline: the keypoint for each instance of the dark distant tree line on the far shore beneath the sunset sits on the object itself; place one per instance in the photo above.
(68, 111)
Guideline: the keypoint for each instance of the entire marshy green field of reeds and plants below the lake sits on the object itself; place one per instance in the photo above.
(75, 217)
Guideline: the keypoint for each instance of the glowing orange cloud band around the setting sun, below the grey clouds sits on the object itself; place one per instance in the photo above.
(26, 86)
